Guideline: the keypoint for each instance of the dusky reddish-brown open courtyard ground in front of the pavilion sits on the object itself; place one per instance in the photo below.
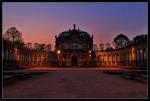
(75, 84)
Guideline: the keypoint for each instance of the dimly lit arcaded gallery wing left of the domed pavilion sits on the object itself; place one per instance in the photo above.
(15, 55)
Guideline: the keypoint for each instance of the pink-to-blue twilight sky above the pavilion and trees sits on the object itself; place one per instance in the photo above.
(40, 22)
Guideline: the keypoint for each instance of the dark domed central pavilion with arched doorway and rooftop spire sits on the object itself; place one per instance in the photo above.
(75, 47)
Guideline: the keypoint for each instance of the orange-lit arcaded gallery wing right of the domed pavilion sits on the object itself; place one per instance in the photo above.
(132, 55)
